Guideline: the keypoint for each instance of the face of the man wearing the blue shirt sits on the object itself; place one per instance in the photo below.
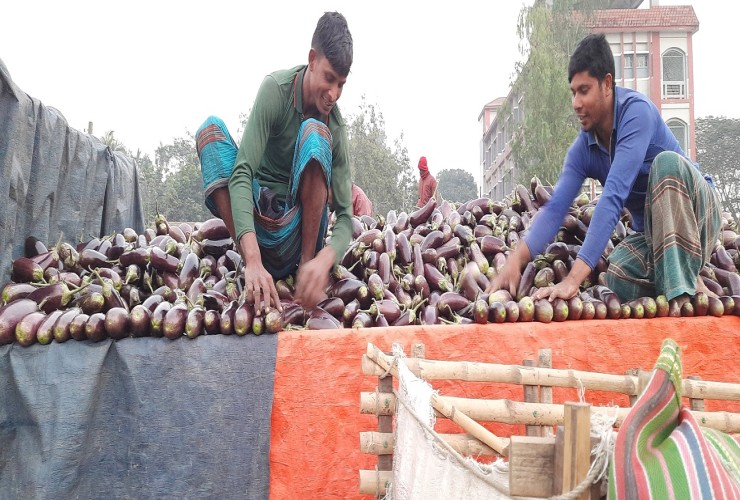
(590, 100)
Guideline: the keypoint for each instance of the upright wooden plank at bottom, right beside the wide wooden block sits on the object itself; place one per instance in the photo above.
(576, 446)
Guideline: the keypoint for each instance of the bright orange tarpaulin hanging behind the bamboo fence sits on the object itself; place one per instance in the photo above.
(316, 418)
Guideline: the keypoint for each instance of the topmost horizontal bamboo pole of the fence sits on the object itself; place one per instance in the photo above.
(491, 372)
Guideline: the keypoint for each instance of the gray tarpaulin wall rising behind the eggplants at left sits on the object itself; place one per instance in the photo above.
(55, 179)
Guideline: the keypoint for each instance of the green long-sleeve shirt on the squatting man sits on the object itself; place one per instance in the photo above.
(266, 153)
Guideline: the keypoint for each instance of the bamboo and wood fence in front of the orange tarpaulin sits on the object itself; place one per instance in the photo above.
(550, 459)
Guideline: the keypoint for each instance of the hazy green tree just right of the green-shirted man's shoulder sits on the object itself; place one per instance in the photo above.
(384, 174)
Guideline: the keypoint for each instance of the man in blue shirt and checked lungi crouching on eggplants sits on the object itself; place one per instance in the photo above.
(625, 144)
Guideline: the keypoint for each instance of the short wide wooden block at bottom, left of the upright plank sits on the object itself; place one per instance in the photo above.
(531, 464)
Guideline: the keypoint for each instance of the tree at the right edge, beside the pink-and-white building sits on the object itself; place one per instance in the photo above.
(718, 153)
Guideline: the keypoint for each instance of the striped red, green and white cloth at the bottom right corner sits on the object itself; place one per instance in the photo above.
(662, 452)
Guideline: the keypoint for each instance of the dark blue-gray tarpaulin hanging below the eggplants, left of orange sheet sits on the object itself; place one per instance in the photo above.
(137, 418)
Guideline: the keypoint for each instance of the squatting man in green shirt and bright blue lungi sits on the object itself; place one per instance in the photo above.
(293, 152)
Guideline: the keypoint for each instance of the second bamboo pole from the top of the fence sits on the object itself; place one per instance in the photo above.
(516, 412)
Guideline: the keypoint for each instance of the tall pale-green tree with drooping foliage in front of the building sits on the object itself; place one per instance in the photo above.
(548, 36)
